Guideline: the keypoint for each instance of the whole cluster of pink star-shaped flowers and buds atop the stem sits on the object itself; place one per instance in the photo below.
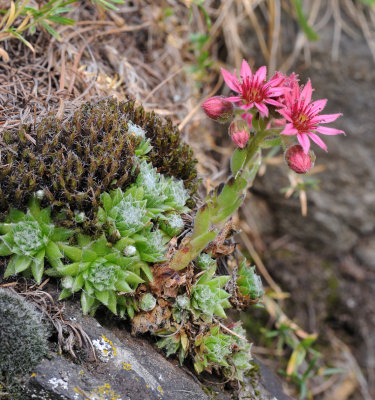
(282, 103)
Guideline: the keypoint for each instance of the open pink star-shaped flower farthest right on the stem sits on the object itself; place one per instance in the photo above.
(303, 119)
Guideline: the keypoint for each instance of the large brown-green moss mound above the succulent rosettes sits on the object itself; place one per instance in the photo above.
(74, 161)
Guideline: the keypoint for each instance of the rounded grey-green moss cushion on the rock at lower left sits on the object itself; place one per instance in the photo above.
(23, 338)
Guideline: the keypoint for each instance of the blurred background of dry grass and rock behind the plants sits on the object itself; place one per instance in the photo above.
(312, 238)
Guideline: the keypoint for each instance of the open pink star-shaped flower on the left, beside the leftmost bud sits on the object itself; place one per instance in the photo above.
(253, 90)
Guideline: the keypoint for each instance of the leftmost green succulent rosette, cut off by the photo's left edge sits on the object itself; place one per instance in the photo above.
(30, 239)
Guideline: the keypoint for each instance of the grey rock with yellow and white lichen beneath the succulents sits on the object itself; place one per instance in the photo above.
(128, 368)
